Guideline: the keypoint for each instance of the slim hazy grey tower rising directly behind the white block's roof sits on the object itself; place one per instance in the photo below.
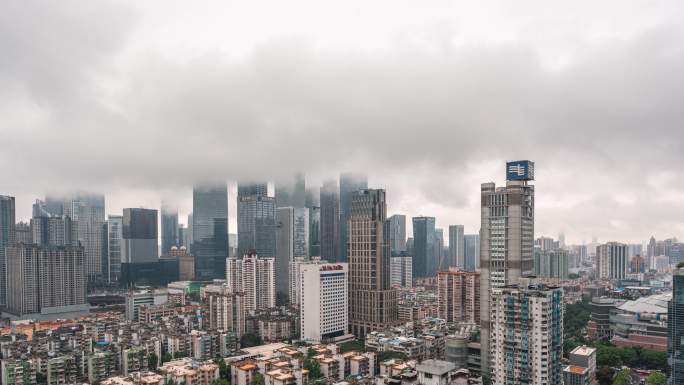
(330, 221)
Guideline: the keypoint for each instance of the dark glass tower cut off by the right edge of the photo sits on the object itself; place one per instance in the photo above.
(675, 328)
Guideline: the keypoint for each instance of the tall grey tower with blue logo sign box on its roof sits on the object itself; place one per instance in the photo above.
(506, 239)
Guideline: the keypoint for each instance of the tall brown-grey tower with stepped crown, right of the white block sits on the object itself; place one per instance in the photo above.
(372, 301)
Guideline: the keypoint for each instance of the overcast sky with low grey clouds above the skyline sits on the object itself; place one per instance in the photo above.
(140, 99)
